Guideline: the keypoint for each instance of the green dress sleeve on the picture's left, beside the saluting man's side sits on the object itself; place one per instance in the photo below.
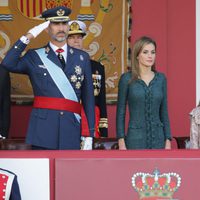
(121, 105)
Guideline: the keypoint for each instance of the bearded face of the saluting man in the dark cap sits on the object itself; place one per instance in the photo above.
(58, 31)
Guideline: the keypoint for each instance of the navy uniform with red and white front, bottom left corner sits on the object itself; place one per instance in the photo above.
(9, 188)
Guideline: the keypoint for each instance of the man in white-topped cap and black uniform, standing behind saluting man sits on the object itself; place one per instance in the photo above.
(77, 30)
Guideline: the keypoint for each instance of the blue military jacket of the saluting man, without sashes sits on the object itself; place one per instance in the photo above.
(55, 129)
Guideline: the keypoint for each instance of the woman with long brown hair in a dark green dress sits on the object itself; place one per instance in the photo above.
(145, 91)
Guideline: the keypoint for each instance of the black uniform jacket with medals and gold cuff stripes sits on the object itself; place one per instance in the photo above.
(98, 74)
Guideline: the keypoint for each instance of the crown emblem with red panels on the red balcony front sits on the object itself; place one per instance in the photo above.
(156, 185)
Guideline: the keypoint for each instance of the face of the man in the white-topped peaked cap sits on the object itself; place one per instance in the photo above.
(75, 40)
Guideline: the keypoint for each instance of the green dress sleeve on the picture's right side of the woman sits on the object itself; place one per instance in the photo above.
(164, 112)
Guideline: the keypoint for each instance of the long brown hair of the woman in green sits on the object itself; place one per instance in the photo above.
(136, 49)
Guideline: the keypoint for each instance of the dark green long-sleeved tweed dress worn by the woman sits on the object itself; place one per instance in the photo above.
(148, 126)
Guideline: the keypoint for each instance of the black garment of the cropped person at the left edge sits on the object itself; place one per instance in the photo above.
(4, 102)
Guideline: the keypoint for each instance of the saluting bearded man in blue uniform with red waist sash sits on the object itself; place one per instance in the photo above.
(61, 78)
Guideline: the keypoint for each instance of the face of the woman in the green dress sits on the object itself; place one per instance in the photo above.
(146, 57)
